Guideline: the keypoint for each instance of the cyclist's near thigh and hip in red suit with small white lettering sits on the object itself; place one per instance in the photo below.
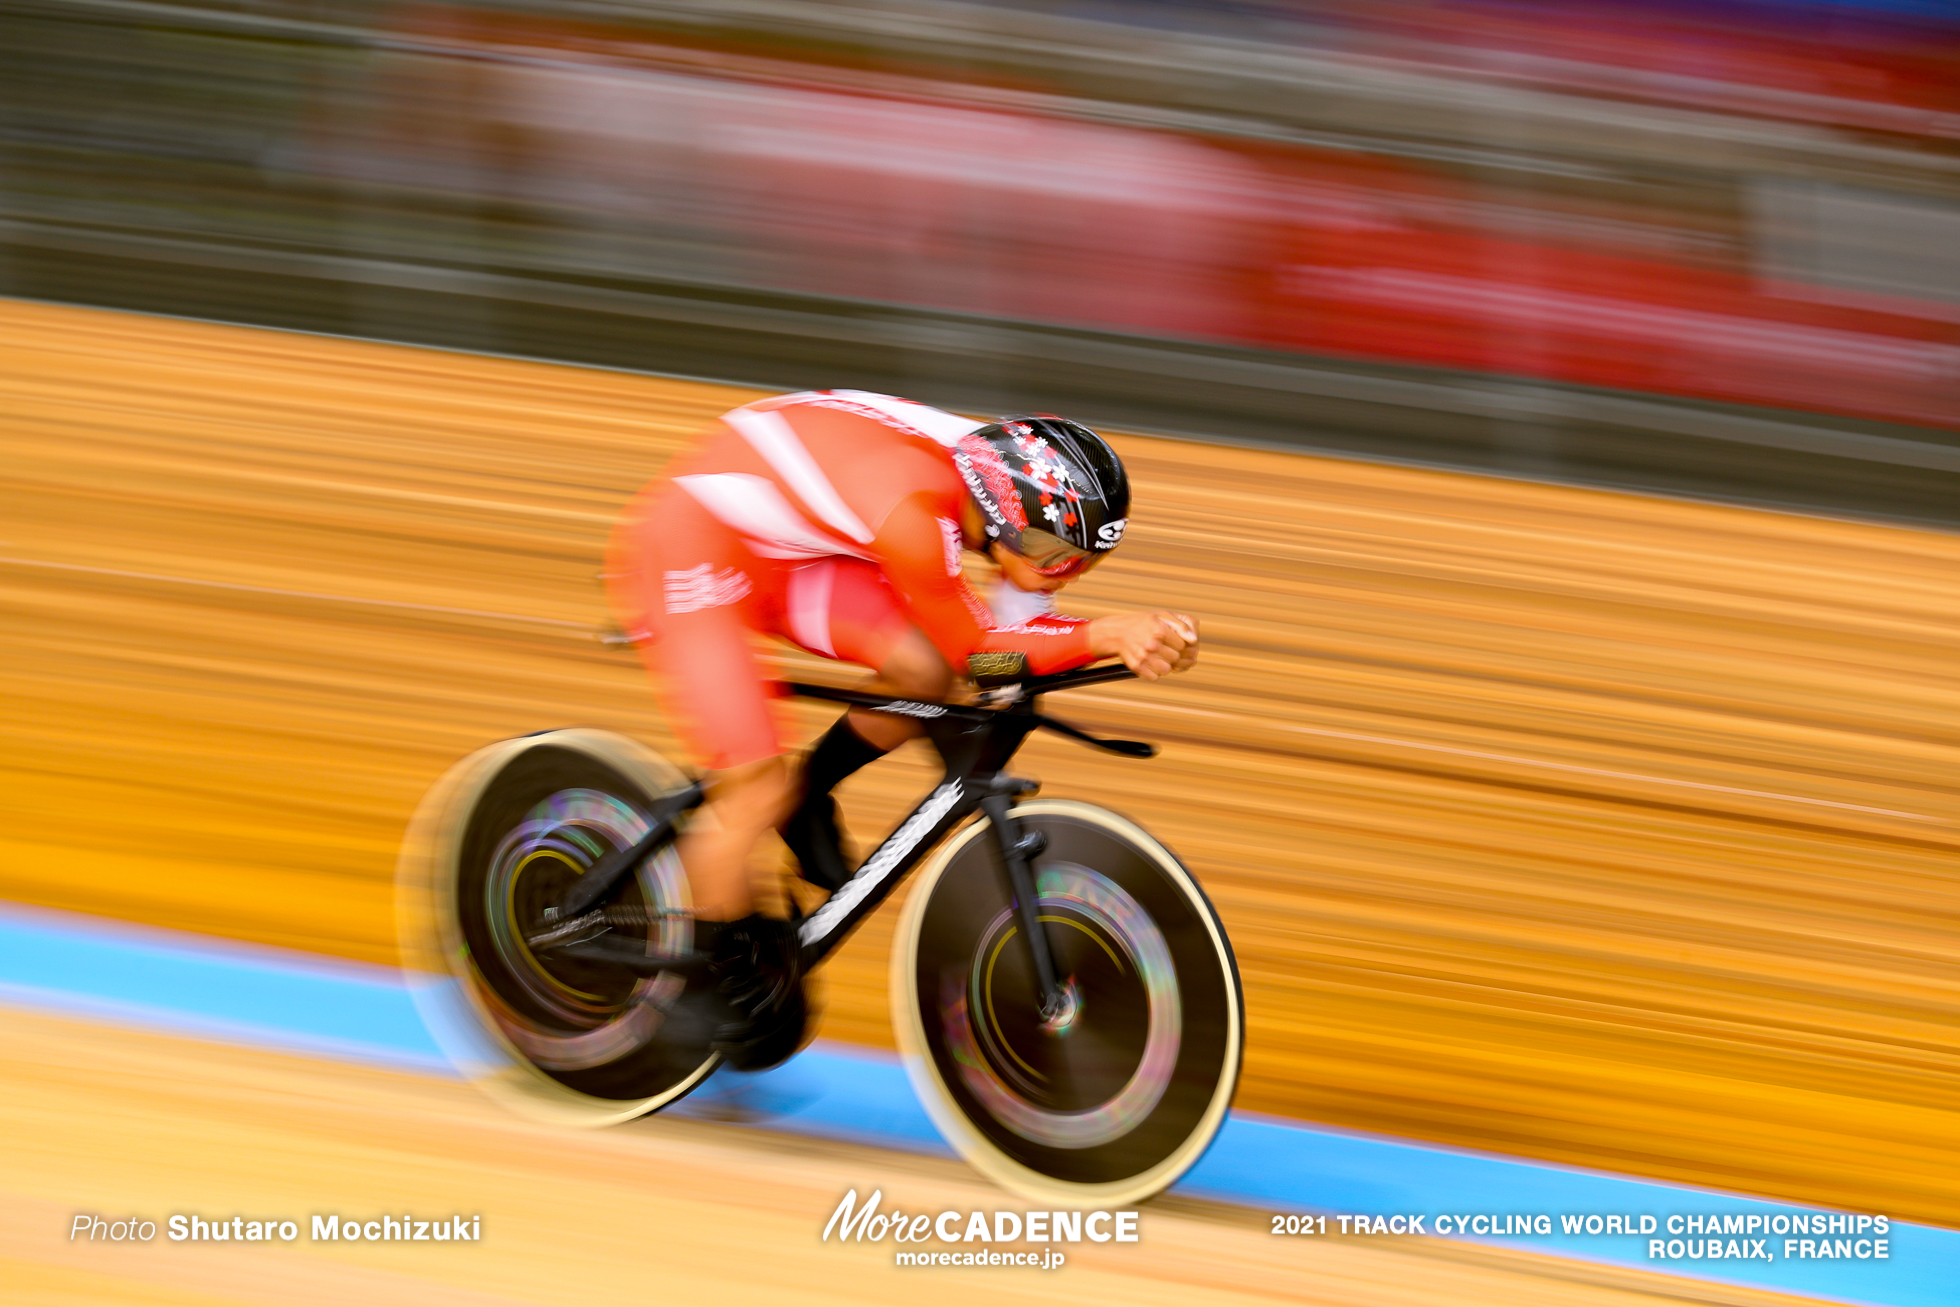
(697, 597)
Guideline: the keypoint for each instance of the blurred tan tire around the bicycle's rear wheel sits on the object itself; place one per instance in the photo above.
(432, 940)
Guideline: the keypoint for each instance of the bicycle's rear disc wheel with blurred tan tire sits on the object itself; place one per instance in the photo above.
(495, 847)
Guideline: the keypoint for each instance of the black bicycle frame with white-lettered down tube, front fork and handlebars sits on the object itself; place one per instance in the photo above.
(975, 744)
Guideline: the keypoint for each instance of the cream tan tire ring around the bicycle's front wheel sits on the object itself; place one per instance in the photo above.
(910, 1028)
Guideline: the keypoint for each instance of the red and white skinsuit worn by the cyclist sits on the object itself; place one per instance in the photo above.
(826, 518)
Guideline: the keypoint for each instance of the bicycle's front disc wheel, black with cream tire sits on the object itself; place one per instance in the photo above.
(1120, 1089)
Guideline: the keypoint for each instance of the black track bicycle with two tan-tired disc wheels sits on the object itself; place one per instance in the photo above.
(1065, 996)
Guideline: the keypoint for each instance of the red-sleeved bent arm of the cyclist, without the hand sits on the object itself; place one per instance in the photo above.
(920, 550)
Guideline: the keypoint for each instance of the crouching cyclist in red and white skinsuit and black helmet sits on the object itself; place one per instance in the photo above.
(838, 522)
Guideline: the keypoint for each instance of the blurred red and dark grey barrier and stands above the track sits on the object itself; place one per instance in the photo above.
(1463, 242)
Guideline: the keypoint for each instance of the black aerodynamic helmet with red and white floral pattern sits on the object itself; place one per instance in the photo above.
(1052, 491)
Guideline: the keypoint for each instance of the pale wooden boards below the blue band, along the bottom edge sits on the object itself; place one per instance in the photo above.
(663, 1210)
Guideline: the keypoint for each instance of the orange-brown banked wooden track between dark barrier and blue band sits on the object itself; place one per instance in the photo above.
(1567, 824)
